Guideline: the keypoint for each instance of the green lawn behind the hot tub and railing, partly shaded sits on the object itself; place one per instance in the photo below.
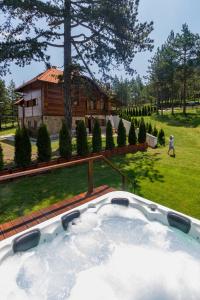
(174, 182)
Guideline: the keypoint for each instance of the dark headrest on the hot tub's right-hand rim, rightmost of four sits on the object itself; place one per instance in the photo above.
(178, 221)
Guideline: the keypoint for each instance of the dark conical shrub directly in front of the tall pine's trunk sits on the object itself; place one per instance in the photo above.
(65, 145)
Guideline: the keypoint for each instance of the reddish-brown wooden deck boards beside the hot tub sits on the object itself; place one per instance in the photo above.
(16, 226)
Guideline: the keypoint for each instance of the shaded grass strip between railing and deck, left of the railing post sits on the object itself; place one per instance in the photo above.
(23, 196)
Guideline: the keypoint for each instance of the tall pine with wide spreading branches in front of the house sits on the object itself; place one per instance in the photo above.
(100, 38)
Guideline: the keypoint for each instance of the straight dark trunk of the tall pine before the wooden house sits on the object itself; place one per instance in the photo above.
(67, 65)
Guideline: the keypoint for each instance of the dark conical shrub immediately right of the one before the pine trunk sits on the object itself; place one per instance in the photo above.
(81, 139)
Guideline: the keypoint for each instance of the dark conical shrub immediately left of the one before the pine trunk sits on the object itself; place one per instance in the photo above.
(43, 144)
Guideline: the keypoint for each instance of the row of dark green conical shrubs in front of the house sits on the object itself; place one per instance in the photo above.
(23, 145)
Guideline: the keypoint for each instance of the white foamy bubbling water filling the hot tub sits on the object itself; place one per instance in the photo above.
(113, 255)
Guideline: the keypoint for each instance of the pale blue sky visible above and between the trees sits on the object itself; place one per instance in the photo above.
(167, 15)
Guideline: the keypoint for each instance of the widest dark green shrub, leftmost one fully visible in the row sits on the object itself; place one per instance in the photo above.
(23, 148)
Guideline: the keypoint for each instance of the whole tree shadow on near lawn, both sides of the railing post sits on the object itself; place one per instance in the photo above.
(26, 195)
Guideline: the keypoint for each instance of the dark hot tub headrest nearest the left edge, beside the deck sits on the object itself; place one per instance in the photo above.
(26, 241)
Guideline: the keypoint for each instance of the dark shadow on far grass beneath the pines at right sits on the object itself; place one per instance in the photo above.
(190, 120)
